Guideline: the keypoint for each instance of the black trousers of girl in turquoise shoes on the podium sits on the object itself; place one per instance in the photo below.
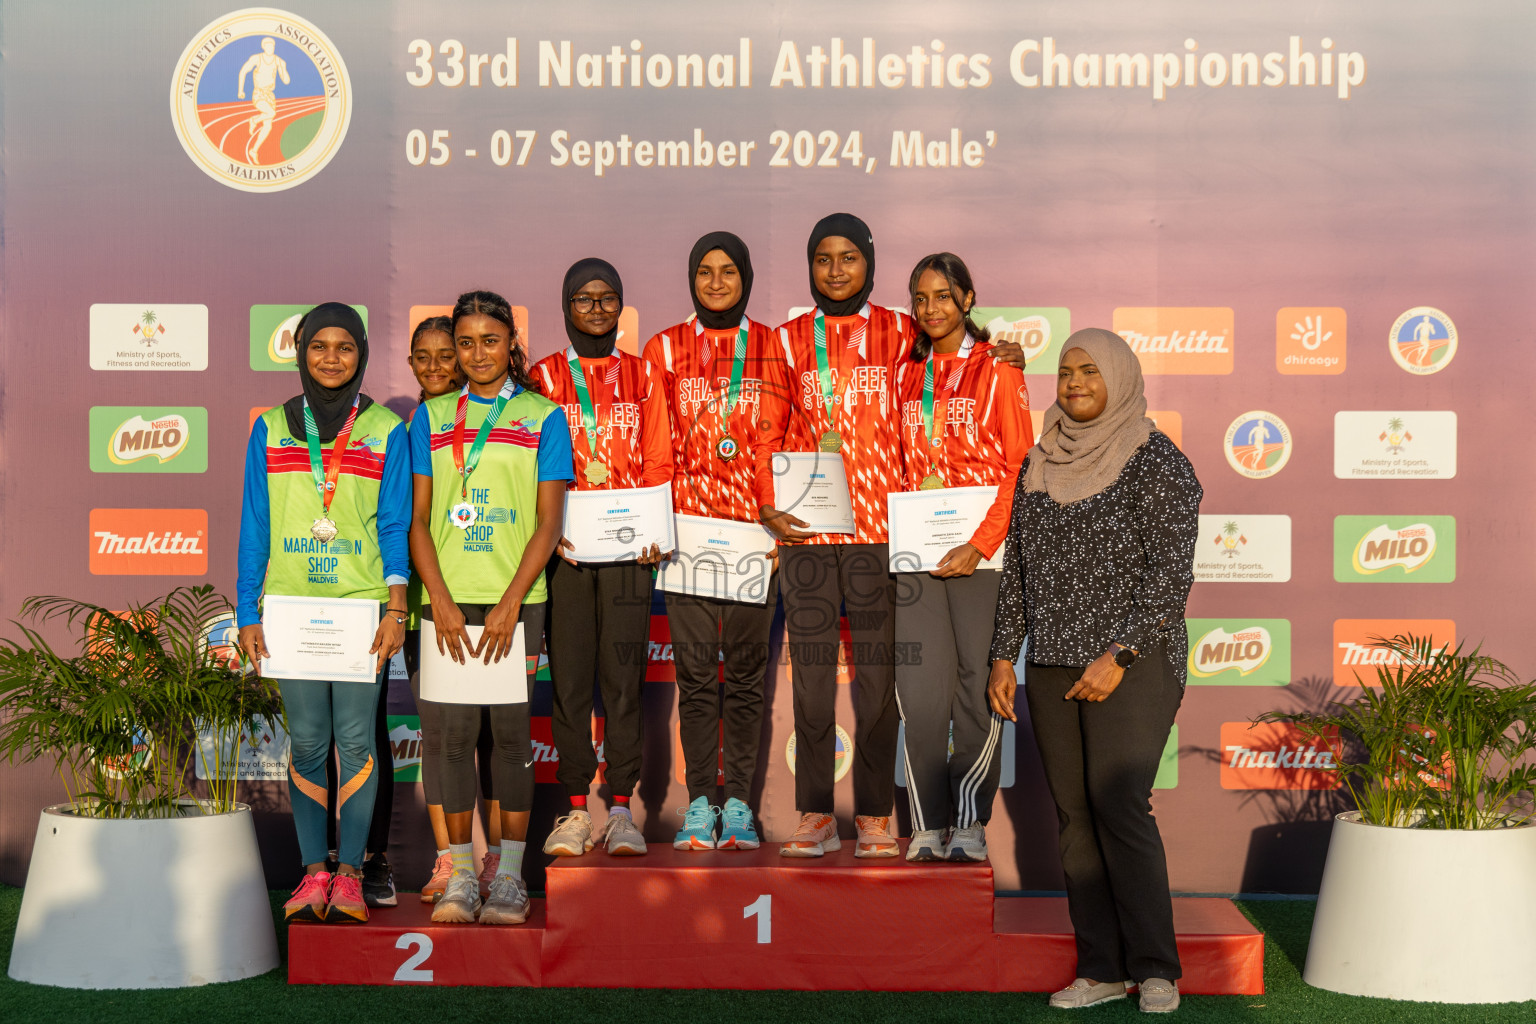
(701, 630)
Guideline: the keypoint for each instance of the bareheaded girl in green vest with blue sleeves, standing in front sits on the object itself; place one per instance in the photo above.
(491, 466)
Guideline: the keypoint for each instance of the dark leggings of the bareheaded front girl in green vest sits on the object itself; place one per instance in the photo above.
(512, 750)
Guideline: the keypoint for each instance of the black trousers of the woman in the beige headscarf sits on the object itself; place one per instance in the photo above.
(1101, 762)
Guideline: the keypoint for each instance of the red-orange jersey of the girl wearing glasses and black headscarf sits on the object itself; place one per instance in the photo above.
(634, 437)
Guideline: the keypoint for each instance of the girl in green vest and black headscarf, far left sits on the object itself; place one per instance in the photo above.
(334, 452)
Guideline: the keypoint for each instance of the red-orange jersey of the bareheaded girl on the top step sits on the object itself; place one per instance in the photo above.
(984, 409)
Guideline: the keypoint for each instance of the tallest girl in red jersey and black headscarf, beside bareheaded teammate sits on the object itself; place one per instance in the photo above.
(839, 360)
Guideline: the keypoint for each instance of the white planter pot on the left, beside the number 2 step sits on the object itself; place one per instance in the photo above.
(150, 903)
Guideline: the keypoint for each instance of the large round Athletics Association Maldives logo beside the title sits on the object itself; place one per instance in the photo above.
(260, 101)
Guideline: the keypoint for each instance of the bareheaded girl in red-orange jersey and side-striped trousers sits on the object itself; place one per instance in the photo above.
(965, 423)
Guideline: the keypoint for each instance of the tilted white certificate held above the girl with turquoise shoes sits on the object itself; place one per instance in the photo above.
(720, 558)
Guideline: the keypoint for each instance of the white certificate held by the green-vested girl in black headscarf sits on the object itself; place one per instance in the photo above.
(320, 638)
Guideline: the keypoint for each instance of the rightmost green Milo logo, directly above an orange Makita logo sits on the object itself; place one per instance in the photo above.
(1395, 549)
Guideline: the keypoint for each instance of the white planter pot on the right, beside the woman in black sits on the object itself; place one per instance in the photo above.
(1426, 914)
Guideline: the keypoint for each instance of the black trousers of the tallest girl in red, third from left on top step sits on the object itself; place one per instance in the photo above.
(818, 581)
